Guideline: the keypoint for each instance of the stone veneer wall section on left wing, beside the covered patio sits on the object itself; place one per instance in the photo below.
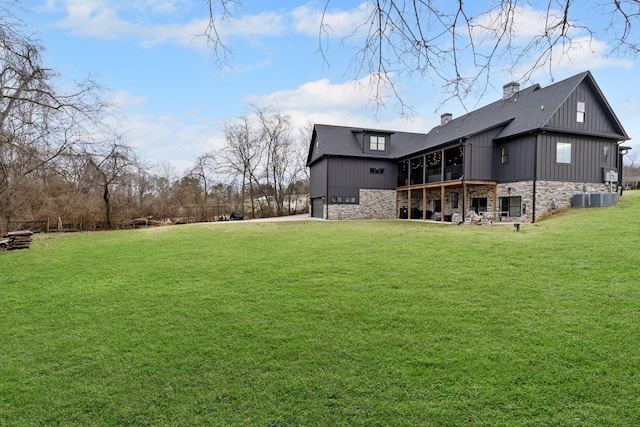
(373, 204)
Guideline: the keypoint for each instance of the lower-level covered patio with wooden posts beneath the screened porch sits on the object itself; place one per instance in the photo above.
(447, 201)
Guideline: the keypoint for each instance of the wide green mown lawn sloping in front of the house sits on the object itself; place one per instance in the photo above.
(353, 323)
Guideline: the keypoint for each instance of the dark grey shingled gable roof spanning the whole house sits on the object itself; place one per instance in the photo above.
(528, 110)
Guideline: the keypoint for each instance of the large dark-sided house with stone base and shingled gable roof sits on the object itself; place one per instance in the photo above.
(516, 159)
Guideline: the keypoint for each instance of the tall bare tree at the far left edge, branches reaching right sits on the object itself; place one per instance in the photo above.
(38, 123)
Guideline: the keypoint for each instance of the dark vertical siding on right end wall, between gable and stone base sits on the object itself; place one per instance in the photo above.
(587, 158)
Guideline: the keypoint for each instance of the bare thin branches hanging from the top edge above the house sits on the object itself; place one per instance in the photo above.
(458, 44)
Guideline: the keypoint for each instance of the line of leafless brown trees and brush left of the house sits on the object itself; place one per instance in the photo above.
(63, 164)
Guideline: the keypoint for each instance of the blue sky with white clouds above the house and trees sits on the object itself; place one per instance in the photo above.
(173, 97)
